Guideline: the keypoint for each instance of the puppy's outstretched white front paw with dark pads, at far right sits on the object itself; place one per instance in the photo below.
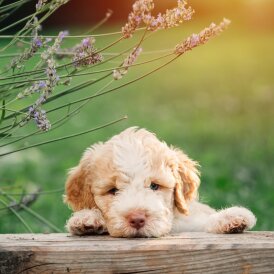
(231, 220)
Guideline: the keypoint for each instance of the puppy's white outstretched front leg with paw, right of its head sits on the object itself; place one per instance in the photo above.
(205, 219)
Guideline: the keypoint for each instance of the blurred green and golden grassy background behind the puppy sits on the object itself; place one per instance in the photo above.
(216, 103)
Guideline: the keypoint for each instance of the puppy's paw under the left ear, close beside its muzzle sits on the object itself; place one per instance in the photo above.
(86, 222)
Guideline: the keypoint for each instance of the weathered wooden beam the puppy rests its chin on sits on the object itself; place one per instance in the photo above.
(251, 252)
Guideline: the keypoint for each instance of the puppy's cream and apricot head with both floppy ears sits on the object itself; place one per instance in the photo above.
(136, 181)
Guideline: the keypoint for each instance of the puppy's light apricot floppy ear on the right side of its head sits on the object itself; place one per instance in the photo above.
(188, 181)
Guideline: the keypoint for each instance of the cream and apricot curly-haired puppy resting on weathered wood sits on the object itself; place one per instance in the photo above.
(137, 186)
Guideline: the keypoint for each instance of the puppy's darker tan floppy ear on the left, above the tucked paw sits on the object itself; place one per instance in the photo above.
(78, 186)
